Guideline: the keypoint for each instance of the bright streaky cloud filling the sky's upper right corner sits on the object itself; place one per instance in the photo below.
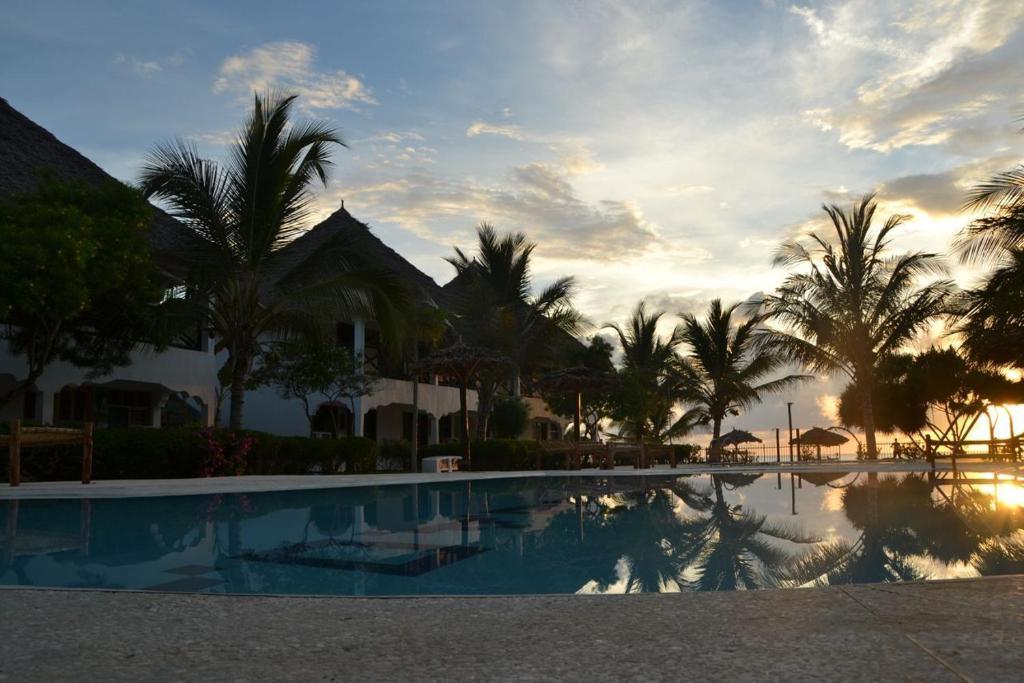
(937, 69)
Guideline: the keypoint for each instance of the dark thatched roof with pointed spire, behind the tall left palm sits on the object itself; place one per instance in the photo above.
(355, 239)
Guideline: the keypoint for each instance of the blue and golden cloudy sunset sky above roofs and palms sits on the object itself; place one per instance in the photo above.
(656, 151)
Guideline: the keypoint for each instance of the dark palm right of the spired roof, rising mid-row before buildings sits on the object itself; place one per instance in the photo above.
(498, 310)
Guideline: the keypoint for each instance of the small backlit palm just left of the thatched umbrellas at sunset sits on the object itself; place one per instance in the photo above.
(726, 368)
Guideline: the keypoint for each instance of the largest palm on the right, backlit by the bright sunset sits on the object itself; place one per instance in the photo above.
(850, 304)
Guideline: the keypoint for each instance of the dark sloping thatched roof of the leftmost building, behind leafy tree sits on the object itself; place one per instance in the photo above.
(29, 151)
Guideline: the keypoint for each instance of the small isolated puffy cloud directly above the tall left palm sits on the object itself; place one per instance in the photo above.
(289, 67)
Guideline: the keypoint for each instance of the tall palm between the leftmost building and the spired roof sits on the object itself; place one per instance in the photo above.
(243, 215)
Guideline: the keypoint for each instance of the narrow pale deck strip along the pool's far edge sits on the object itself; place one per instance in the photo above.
(252, 485)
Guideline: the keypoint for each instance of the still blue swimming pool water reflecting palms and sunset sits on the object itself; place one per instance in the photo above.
(573, 535)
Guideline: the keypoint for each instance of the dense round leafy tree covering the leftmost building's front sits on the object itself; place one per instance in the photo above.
(77, 283)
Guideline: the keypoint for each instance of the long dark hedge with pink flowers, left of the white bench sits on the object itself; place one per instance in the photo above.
(141, 453)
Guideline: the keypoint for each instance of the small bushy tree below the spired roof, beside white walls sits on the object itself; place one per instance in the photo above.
(308, 369)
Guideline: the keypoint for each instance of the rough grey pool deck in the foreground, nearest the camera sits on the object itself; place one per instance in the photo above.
(967, 630)
